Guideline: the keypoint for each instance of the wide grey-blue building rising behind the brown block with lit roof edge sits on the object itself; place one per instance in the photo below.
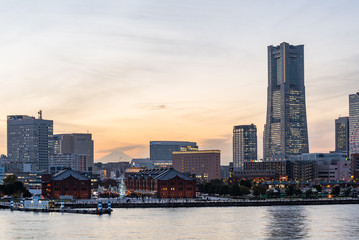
(162, 150)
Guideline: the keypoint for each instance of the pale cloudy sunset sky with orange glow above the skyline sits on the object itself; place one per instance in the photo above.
(130, 72)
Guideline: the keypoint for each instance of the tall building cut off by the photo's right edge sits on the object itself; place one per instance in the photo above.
(354, 123)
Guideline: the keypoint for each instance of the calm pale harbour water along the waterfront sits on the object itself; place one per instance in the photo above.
(276, 222)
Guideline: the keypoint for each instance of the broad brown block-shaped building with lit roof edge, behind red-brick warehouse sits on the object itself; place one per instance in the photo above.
(205, 164)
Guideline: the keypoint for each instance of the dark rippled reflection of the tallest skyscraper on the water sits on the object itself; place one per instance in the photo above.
(287, 222)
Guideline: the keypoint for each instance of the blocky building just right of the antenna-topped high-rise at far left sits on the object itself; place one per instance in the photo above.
(73, 151)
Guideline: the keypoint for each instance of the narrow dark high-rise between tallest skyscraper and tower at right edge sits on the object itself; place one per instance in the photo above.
(342, 134)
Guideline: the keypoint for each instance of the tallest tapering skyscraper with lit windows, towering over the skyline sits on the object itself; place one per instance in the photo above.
(285, 131)
